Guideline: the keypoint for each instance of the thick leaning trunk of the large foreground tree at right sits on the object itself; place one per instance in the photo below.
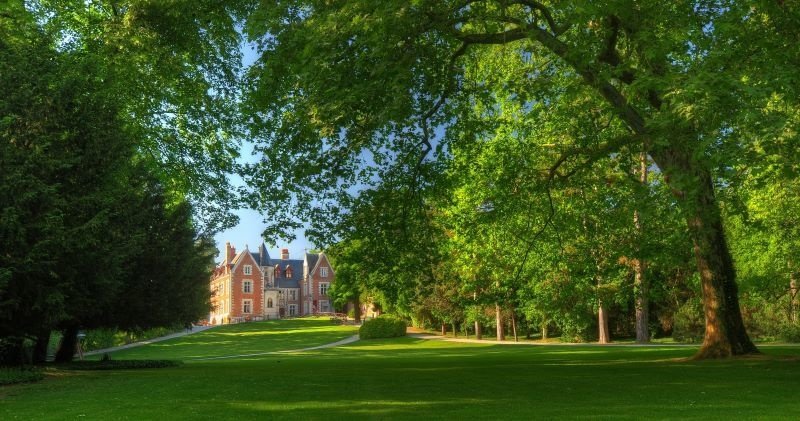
(725, 333)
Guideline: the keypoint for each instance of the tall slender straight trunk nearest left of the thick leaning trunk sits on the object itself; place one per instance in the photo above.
(640, 287)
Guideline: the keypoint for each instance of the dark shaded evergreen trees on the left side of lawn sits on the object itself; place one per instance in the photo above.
(90, 234)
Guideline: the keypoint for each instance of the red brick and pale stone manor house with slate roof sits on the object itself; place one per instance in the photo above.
(252, 286)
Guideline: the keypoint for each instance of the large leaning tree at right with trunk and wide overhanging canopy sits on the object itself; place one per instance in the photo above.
(678, 89)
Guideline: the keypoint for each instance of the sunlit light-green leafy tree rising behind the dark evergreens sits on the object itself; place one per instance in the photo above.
(174, 68)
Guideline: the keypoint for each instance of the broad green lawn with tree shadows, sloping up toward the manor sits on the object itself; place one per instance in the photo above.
(414, 378)
